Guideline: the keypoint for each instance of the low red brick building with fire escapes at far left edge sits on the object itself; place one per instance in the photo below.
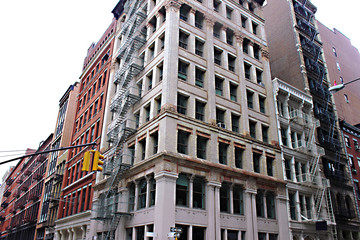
(20, 207)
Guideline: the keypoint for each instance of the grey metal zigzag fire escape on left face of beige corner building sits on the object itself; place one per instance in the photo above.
(121, 127)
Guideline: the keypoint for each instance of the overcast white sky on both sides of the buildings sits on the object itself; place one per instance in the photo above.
(42, 47)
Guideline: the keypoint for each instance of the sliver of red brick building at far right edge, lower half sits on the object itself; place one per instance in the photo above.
(352, 140)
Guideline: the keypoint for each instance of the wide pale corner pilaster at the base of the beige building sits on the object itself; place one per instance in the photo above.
(165, 203)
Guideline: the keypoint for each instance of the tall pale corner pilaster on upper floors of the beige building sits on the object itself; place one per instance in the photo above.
(169, 96)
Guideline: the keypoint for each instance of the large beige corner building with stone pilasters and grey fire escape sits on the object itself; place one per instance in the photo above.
(191, 139)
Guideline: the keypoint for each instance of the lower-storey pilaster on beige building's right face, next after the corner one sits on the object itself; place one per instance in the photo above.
(213, 230)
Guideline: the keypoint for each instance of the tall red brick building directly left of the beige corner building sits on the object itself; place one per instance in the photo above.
(76, 196)
